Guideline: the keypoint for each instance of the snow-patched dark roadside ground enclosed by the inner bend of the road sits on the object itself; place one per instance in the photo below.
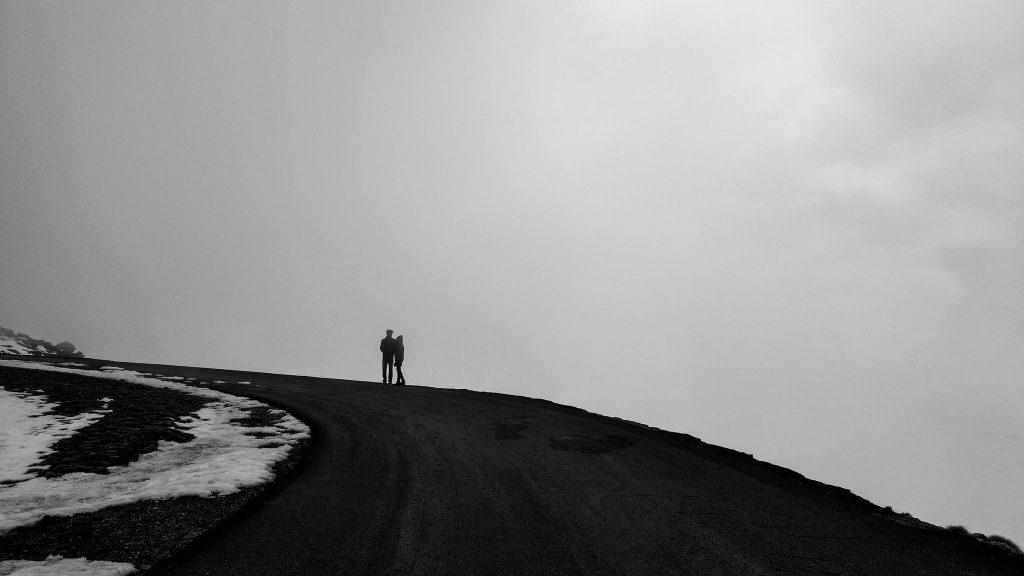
(104, 470)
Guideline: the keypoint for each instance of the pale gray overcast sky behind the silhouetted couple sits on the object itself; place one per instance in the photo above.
(795, 229)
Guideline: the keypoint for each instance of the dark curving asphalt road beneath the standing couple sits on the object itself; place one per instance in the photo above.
(432, 481)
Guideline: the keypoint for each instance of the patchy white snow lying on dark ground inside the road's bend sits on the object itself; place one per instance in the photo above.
(223, 458)
